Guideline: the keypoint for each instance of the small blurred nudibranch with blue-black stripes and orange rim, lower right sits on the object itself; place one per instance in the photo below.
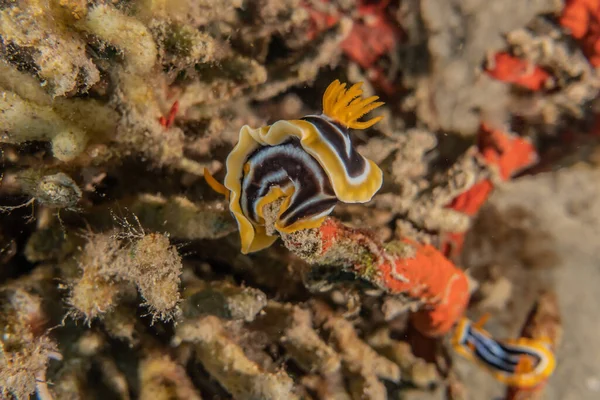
(522, 362)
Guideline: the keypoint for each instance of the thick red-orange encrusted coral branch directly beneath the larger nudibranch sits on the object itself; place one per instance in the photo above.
(419, 271)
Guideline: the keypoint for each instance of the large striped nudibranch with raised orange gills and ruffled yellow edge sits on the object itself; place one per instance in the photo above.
(309, 164)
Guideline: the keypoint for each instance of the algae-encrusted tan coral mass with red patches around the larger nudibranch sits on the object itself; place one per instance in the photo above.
(120, 269)
